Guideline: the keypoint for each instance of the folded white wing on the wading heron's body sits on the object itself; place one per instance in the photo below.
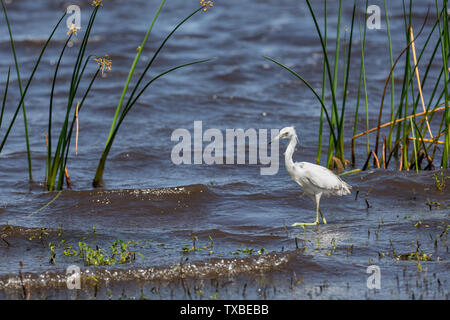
(321, 179)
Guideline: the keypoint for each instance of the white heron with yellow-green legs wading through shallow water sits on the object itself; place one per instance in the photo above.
(315, 180)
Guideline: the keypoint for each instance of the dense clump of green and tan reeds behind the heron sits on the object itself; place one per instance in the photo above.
(412, 137)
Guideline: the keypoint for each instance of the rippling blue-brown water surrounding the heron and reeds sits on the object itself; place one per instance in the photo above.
(239, 220)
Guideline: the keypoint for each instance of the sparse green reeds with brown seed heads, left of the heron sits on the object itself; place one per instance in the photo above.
(56, 160)
